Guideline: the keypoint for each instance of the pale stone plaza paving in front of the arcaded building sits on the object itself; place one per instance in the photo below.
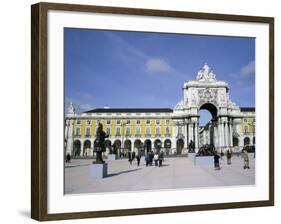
(178, 172)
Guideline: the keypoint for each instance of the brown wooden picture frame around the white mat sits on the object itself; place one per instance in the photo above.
(39, 109)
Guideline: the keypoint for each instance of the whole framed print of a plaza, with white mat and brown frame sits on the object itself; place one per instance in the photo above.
(139, 111)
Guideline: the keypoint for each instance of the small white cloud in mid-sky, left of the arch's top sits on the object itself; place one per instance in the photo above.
(157, 65)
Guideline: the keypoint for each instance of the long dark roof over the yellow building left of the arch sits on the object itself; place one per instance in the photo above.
(130, 110)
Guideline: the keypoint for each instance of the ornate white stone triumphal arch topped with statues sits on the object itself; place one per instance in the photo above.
(206, 92)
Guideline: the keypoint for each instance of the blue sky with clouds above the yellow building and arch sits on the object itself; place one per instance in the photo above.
(138, 69)
